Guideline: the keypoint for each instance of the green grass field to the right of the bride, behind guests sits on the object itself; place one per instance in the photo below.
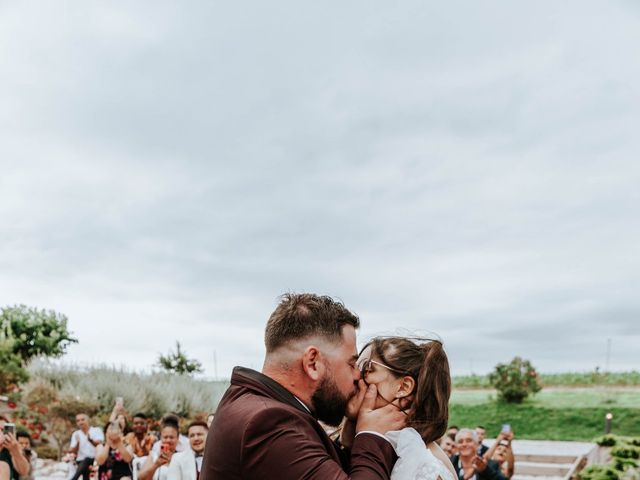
(553, 414)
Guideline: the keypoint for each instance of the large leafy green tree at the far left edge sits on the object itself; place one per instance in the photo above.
(26, 333)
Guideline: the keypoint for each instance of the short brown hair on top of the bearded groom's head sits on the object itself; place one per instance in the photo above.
(302, 315)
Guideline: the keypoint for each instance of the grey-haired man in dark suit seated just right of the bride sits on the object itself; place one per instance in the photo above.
(468, 464)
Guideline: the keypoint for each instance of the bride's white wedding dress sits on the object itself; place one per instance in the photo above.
(415, 460)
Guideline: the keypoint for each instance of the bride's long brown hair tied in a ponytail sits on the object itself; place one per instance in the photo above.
(426, 362)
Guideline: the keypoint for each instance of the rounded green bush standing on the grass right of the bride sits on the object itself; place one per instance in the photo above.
(515, 381)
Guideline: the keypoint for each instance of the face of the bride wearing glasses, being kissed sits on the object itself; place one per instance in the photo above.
(390, 384)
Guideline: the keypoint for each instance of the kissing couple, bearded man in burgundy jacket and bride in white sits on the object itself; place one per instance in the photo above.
(391, 399)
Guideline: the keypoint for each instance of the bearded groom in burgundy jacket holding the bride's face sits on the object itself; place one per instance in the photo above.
(266, 425)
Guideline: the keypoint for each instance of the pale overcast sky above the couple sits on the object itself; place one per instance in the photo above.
(468, 169)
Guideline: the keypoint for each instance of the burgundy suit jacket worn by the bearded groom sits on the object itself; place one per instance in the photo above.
(261, 431)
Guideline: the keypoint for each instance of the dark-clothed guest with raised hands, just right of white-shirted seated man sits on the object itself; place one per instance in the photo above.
(114, 456)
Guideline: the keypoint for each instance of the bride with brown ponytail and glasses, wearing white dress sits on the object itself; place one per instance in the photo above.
(413, 375)
